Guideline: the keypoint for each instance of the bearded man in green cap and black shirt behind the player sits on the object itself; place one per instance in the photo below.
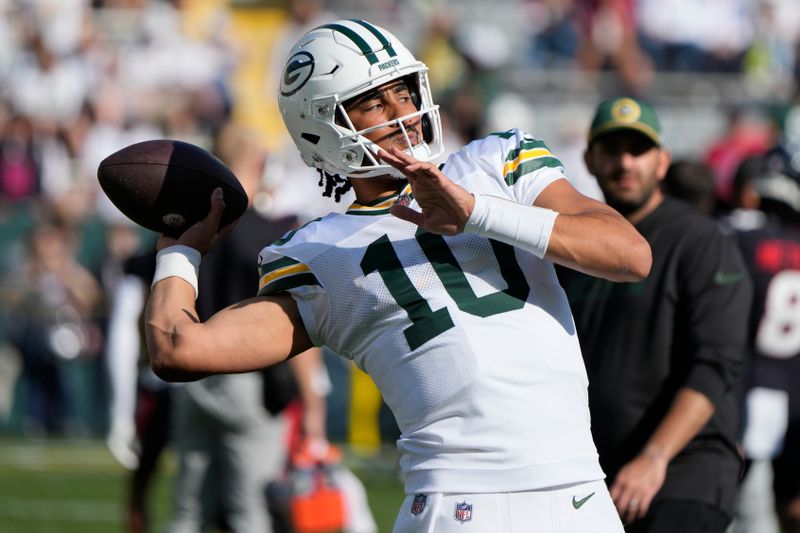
(664, 354)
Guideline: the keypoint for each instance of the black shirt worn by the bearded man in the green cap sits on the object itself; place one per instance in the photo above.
(683, 326)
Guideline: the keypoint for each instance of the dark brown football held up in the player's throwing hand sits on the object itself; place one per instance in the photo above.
(165, 185)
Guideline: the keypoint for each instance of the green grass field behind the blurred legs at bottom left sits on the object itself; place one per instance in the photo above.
(71, 486)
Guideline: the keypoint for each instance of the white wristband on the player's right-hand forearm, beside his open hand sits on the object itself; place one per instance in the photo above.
(524, 226)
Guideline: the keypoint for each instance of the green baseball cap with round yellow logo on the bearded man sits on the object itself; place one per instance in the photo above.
(626, 114)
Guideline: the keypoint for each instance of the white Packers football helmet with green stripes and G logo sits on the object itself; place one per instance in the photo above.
(330, 65)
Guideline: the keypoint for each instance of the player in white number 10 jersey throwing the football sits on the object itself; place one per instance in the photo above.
(437, 281)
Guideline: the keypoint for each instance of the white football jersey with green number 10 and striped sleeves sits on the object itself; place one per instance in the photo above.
(470, 341)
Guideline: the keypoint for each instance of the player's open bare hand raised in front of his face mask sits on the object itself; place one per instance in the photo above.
(445, 205)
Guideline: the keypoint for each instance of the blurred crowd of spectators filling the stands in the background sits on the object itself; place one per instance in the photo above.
(80, 79)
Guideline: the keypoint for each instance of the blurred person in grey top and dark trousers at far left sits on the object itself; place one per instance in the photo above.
(52, 299)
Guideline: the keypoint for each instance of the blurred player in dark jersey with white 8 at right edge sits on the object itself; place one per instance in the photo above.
(767, 223)
